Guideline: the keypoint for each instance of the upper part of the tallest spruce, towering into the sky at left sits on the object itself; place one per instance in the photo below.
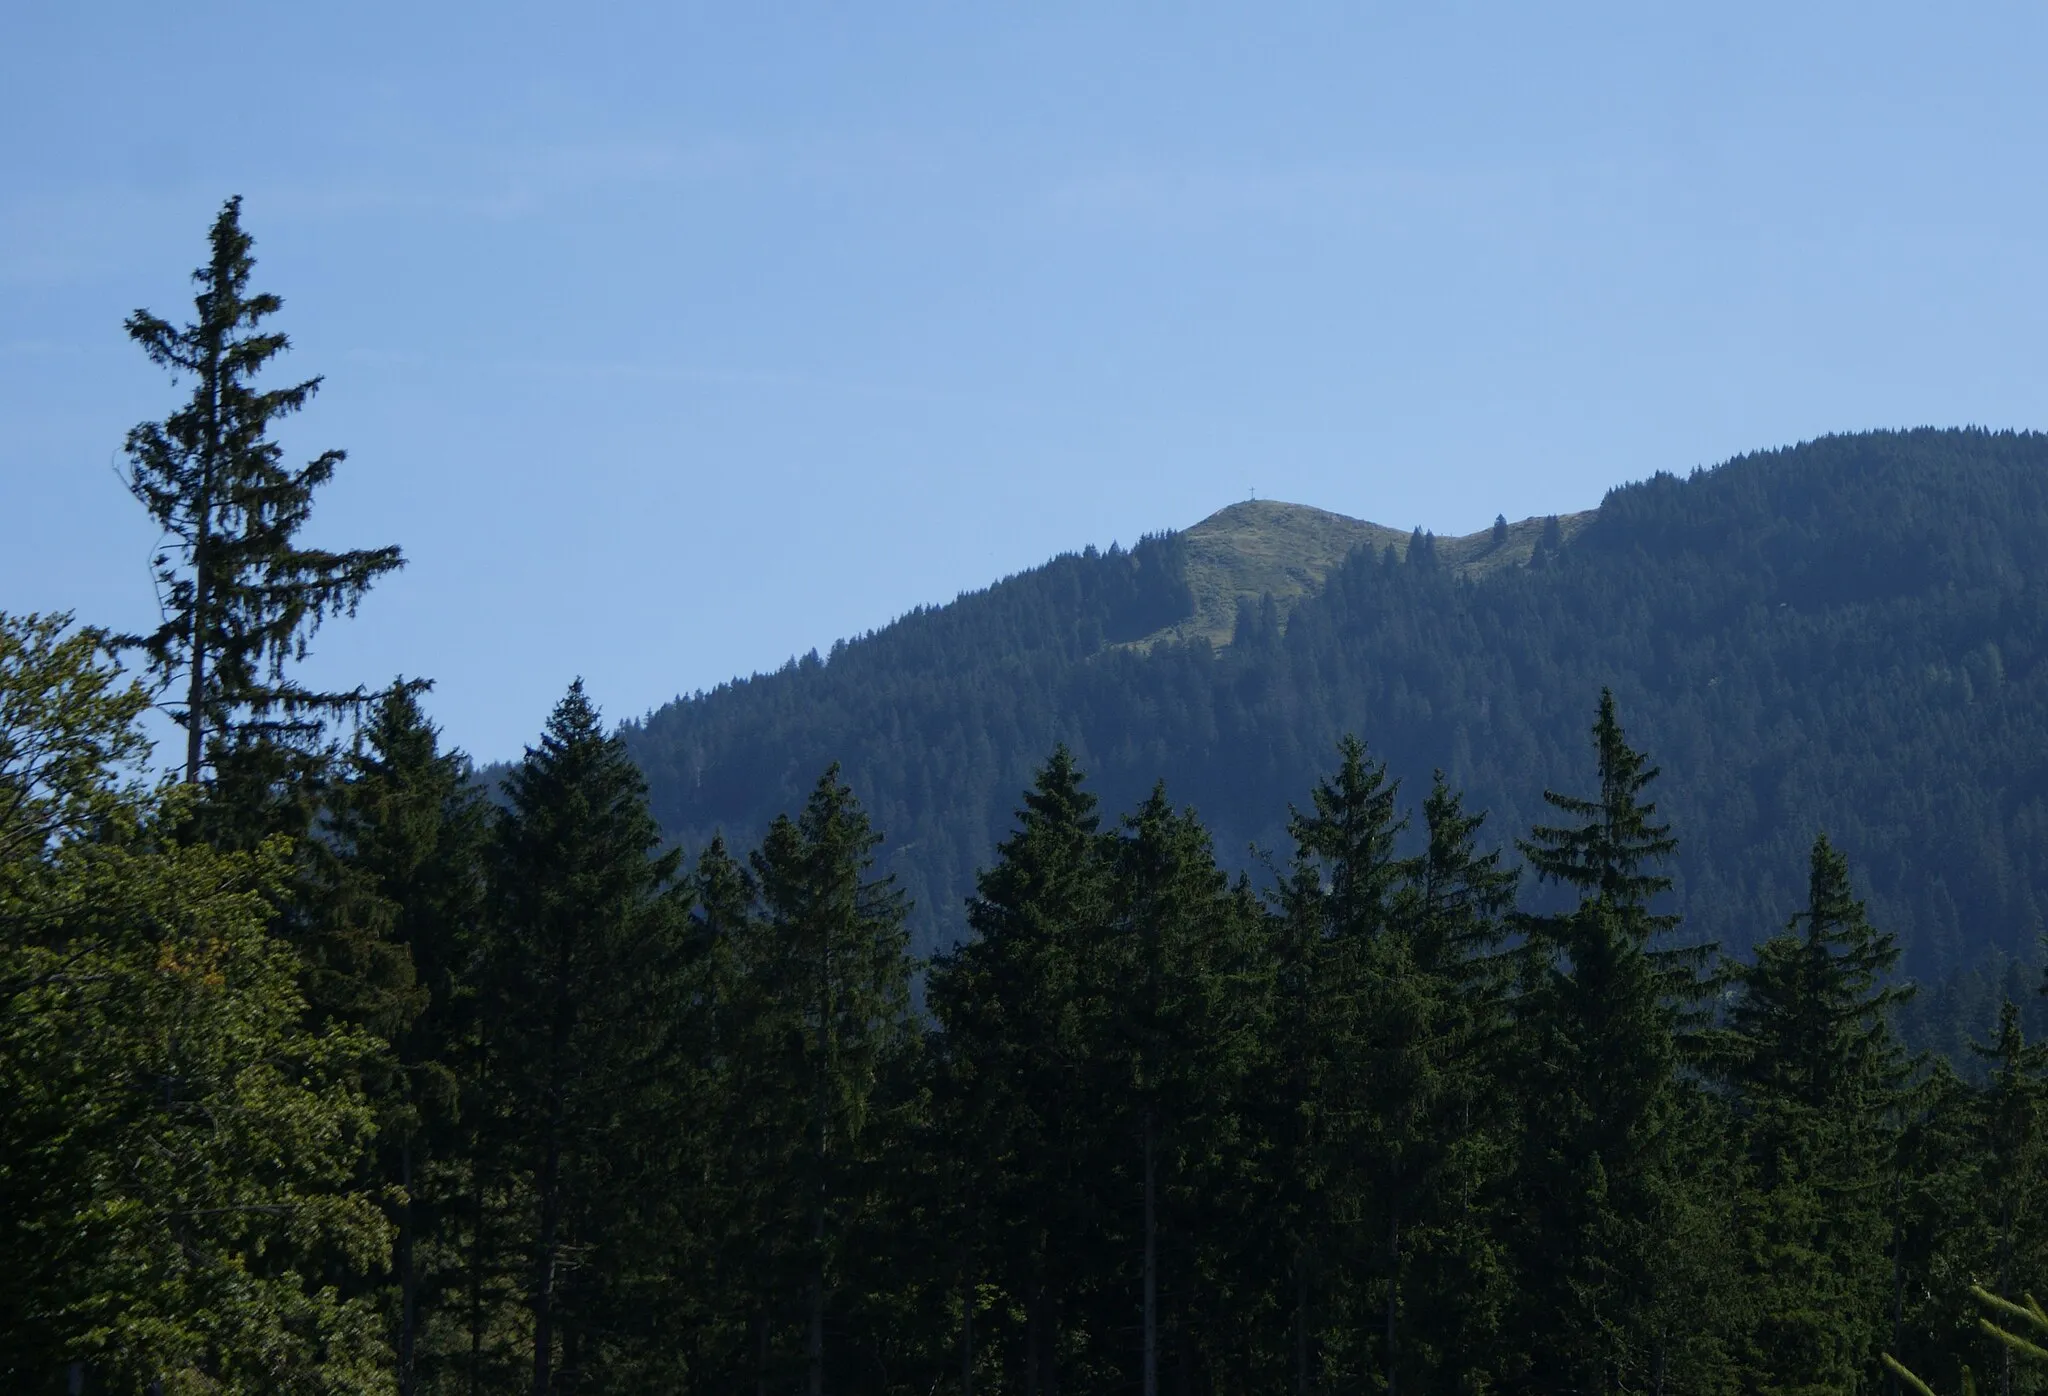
(241, 595)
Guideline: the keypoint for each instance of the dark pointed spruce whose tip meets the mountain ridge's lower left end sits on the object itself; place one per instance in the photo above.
(585, 986)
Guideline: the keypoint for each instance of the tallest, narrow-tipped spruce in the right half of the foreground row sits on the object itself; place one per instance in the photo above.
(1601, 1178)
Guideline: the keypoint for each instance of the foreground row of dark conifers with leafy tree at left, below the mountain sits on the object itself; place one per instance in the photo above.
(503, 1098)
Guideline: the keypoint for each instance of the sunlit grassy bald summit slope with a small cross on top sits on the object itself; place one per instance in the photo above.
(1265, 548)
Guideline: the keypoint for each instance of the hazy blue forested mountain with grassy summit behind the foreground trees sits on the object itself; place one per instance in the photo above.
(1844, 636)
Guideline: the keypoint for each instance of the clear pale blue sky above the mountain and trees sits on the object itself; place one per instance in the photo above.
(673, 341)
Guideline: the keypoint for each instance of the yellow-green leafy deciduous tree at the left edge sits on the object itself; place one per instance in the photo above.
(179, 1151)
